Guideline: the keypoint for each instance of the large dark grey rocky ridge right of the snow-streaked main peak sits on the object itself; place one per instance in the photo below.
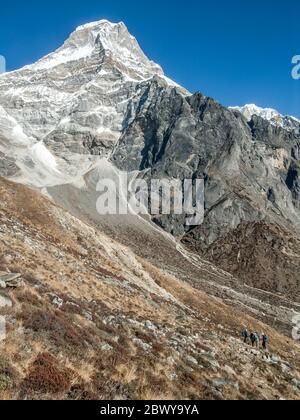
(250, 169)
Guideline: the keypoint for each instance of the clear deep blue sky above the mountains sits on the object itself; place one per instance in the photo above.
(236, 51)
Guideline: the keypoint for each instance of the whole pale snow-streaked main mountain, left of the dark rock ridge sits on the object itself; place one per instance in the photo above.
(80, 96)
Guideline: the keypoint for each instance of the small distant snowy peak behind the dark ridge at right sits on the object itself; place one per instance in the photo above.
(269, 114)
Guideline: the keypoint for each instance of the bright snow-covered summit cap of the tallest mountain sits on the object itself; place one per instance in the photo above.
(100, 42)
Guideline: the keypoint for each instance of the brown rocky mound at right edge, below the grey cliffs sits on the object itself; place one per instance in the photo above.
(260, 254)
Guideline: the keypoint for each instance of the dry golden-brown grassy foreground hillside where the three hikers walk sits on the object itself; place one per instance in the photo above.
(93, 321)
